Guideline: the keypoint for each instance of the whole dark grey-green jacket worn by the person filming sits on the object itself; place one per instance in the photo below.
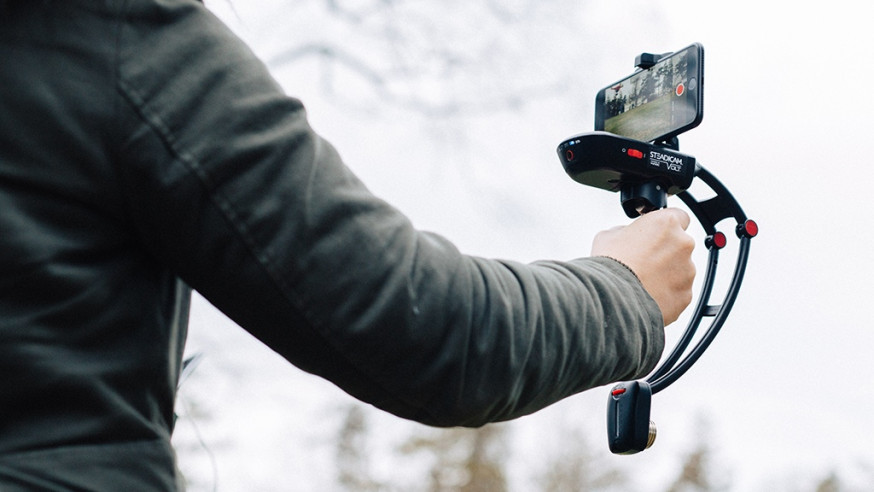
(144, 149)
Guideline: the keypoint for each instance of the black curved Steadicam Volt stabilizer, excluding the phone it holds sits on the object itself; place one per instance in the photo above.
(645, 174)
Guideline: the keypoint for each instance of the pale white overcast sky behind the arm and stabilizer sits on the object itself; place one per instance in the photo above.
(787, 387)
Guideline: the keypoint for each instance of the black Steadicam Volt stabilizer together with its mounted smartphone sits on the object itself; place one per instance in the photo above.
(645, 174)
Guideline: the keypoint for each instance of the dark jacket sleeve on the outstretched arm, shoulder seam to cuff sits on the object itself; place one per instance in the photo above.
(231, 189)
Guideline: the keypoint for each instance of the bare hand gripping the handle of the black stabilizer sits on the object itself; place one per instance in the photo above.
(659, 251)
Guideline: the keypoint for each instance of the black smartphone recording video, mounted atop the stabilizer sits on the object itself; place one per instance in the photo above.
(656, 103)
